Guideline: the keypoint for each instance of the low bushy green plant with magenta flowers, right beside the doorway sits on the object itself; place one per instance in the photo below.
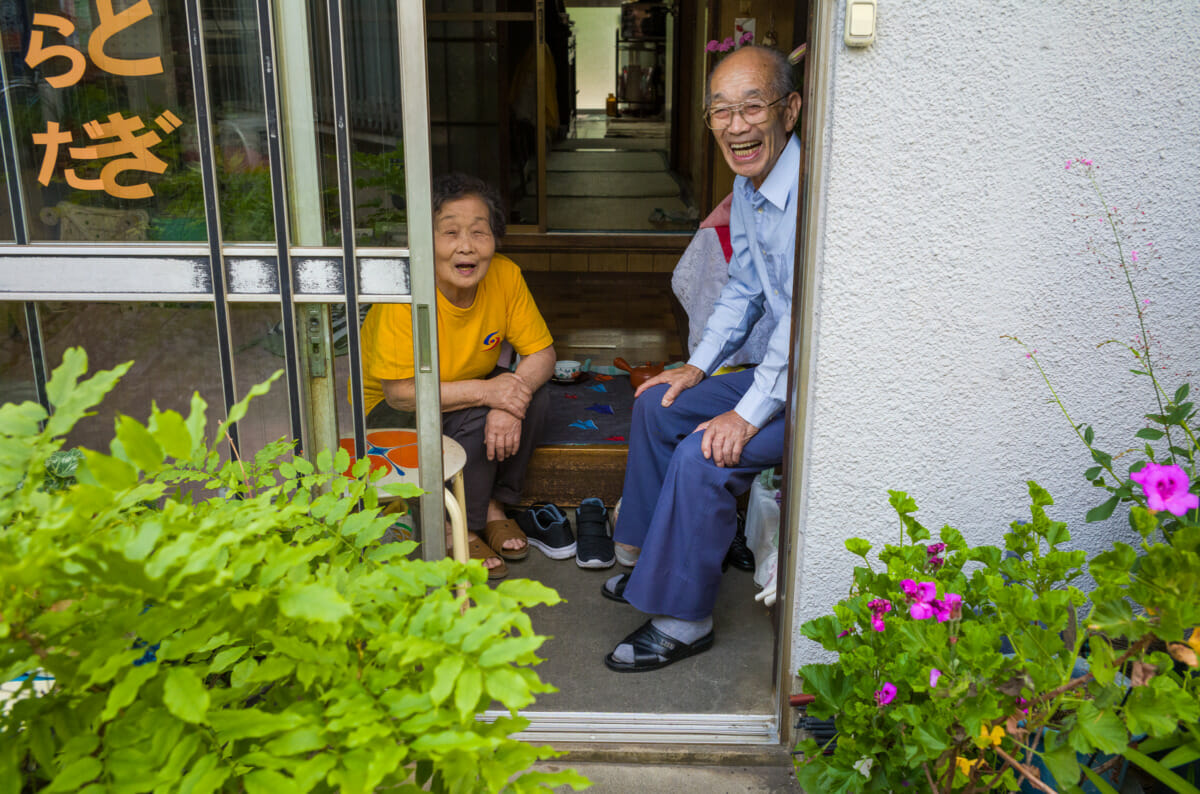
(925, 691)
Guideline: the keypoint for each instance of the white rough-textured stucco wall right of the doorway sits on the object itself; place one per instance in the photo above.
(950, 222)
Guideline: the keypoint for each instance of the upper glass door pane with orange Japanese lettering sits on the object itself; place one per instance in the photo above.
(103, 110)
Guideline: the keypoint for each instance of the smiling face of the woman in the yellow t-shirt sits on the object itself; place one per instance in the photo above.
(463, 249)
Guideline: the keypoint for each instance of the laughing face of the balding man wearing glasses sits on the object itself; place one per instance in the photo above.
(752, 151)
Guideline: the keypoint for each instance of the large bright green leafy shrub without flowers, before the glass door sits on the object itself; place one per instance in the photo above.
(226, 625)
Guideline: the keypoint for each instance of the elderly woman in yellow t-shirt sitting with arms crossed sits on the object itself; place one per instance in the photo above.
(495, 414)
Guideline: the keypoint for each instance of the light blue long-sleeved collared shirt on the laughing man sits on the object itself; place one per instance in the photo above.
(763, 228)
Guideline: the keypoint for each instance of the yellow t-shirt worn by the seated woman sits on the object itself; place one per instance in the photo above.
(469, 339)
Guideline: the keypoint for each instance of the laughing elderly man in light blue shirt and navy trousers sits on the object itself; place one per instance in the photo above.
(697, 441)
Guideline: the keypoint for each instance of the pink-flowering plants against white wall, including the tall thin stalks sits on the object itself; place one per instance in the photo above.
(956, 683)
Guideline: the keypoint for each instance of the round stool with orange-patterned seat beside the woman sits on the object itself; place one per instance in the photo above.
(394, 449)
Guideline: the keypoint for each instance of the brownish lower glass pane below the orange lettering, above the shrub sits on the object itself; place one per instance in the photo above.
(172, 347)
